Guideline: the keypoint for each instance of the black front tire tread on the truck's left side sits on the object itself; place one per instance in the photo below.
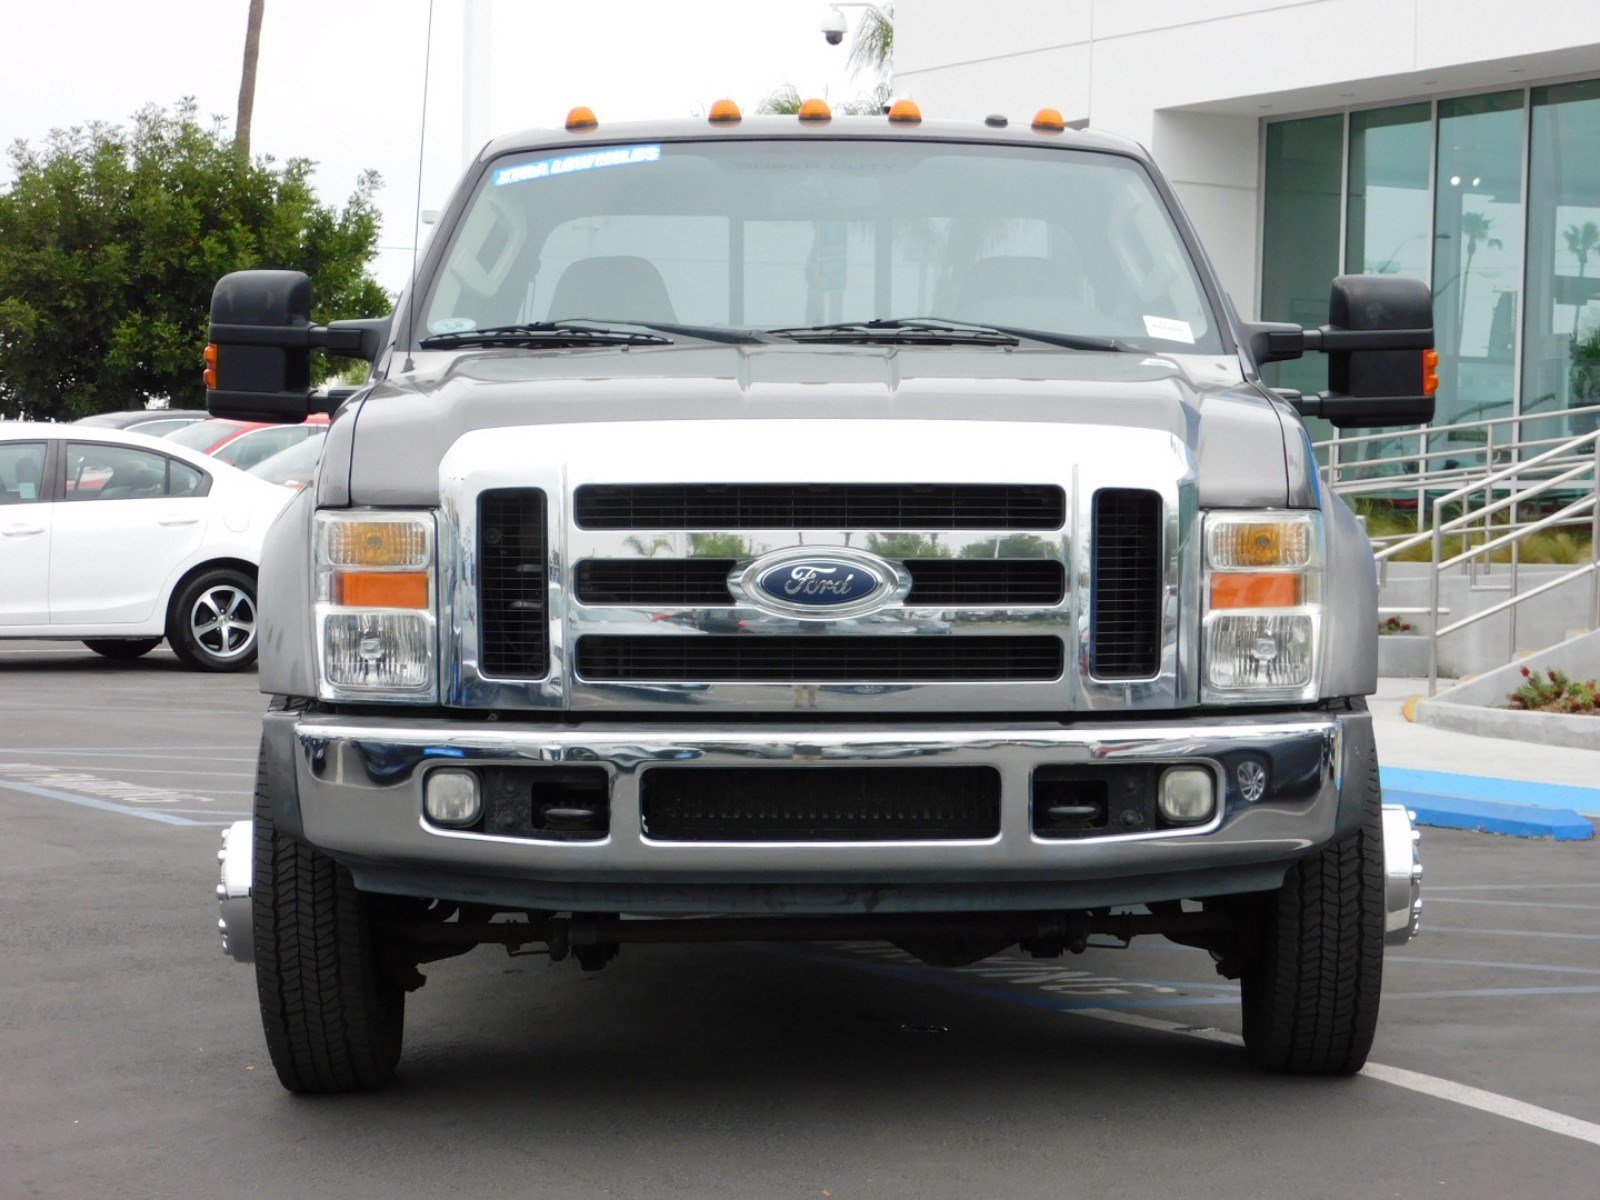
(332, 1022)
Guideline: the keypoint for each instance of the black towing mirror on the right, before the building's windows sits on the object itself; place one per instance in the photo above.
(1378, 340)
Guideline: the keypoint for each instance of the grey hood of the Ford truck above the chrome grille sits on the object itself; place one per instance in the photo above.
(1249, 450)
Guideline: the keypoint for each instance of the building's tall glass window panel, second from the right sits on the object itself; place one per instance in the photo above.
(1478, 255)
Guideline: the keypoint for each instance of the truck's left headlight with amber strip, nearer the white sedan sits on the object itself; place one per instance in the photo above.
(377, 636)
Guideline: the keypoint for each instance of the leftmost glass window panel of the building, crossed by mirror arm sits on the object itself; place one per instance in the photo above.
(1300, 246)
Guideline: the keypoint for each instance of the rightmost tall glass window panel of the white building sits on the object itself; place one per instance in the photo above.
(1561, 366)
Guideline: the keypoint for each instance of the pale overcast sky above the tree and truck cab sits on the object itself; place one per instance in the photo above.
(342, 81)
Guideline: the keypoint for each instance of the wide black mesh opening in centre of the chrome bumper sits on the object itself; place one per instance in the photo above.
(826, 804)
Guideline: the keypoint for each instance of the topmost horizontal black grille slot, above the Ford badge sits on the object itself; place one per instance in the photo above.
(820, 506)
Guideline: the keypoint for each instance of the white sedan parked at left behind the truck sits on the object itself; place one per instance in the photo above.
(121, 540)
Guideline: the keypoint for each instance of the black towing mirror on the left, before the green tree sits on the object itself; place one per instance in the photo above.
(258, 366)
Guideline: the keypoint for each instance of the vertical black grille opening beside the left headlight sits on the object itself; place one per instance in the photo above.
(514, 628)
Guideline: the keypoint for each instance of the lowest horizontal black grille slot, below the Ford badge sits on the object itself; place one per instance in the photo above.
(756, 658)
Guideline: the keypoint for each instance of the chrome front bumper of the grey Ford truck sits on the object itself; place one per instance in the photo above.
(358, 786)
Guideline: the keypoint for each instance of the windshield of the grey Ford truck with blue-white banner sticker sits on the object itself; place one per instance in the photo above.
(786, 236)
